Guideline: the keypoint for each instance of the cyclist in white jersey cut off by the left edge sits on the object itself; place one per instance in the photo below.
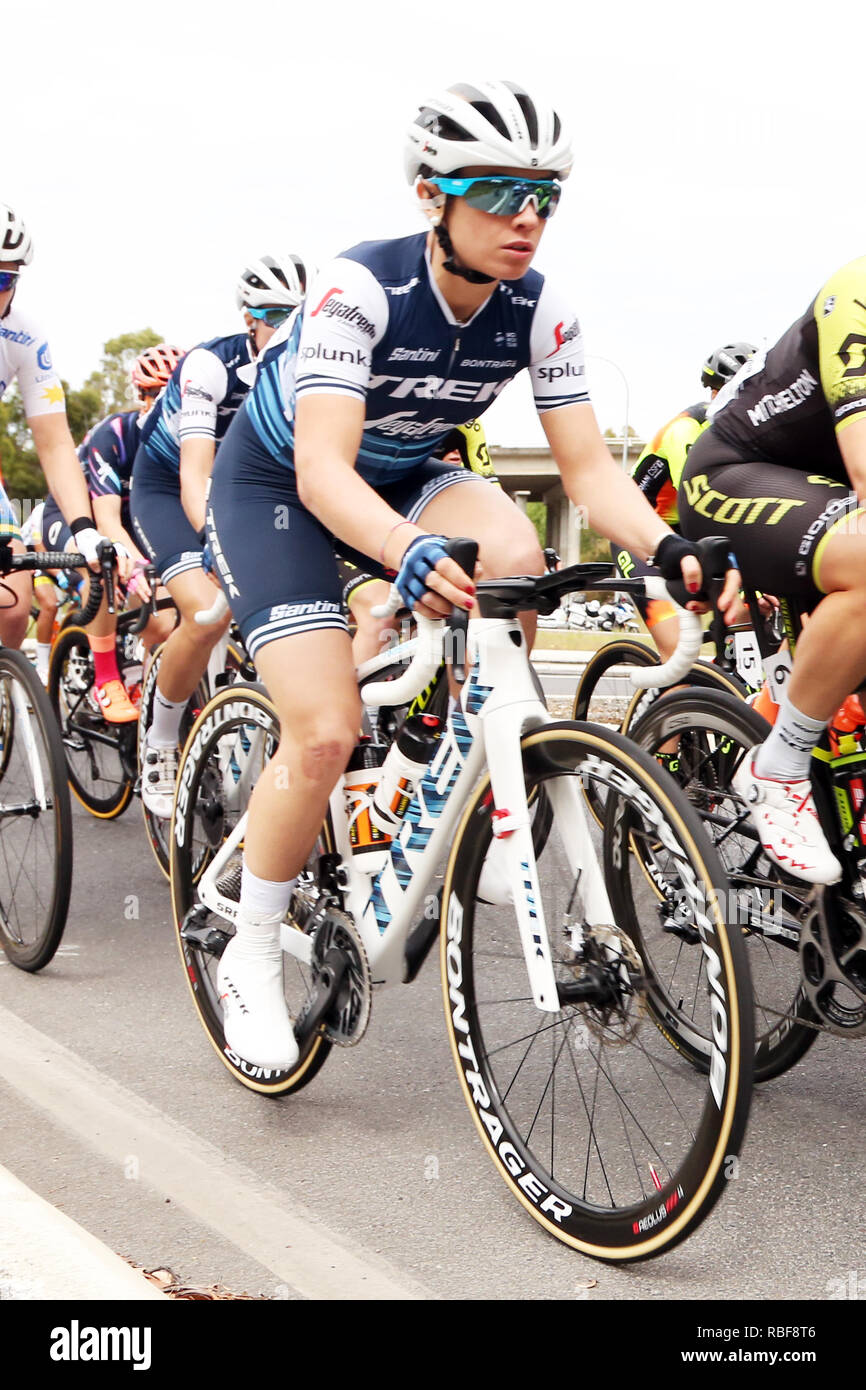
(26, 359)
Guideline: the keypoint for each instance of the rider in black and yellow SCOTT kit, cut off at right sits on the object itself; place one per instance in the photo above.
(782, 472)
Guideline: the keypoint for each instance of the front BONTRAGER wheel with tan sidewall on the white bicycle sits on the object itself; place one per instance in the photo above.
(594, 1118)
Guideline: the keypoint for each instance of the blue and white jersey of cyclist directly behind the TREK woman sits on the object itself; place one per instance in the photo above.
(201, 400)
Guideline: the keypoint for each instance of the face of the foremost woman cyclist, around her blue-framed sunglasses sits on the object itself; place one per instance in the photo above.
(498, 247)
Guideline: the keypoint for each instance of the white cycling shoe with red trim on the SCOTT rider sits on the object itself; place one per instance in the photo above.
(785, 815)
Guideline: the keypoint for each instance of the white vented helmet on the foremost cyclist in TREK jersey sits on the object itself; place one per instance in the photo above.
(493, 124)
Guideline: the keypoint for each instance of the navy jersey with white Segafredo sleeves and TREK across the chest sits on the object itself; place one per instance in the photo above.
(376, 327)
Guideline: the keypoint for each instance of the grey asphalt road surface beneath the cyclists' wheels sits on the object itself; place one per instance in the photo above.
(373, 1181)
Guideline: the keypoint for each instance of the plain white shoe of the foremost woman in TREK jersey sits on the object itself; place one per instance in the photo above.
(256, 1020)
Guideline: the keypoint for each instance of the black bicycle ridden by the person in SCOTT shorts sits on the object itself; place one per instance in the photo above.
(807, 945)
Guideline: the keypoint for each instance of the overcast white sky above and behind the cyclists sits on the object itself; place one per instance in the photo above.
(719, 174)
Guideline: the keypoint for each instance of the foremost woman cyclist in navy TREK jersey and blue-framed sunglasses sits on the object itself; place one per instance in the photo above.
(400, 343)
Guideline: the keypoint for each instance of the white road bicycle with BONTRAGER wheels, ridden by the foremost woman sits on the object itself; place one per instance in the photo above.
(568, 1003)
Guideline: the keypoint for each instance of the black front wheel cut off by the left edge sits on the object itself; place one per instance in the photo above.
(35, 819)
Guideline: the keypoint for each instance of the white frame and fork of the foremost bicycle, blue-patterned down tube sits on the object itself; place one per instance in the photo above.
(498, 705)
